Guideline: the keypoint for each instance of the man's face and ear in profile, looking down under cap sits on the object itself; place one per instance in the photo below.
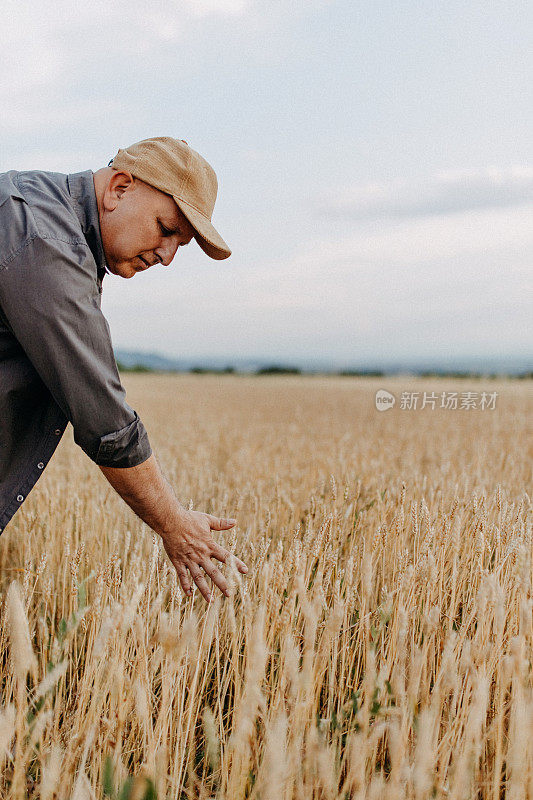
(140, 225)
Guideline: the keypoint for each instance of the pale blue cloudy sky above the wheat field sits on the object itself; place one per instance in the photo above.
(374, 164)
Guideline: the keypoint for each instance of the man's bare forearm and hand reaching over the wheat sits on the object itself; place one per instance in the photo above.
(186, 534)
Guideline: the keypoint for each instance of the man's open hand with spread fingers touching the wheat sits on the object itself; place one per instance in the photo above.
(190, 547)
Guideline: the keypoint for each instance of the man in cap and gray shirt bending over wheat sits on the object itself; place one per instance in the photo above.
(59, 235)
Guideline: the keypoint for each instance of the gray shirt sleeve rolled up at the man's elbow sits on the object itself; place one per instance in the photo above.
(50, 298)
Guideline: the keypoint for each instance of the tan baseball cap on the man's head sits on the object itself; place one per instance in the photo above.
(176, 169)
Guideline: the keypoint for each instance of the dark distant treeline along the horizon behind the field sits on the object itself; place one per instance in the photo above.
(280, 369)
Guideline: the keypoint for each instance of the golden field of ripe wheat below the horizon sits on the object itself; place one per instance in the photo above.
(380, 646)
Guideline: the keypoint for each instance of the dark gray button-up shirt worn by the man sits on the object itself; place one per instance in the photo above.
(56, 359)
